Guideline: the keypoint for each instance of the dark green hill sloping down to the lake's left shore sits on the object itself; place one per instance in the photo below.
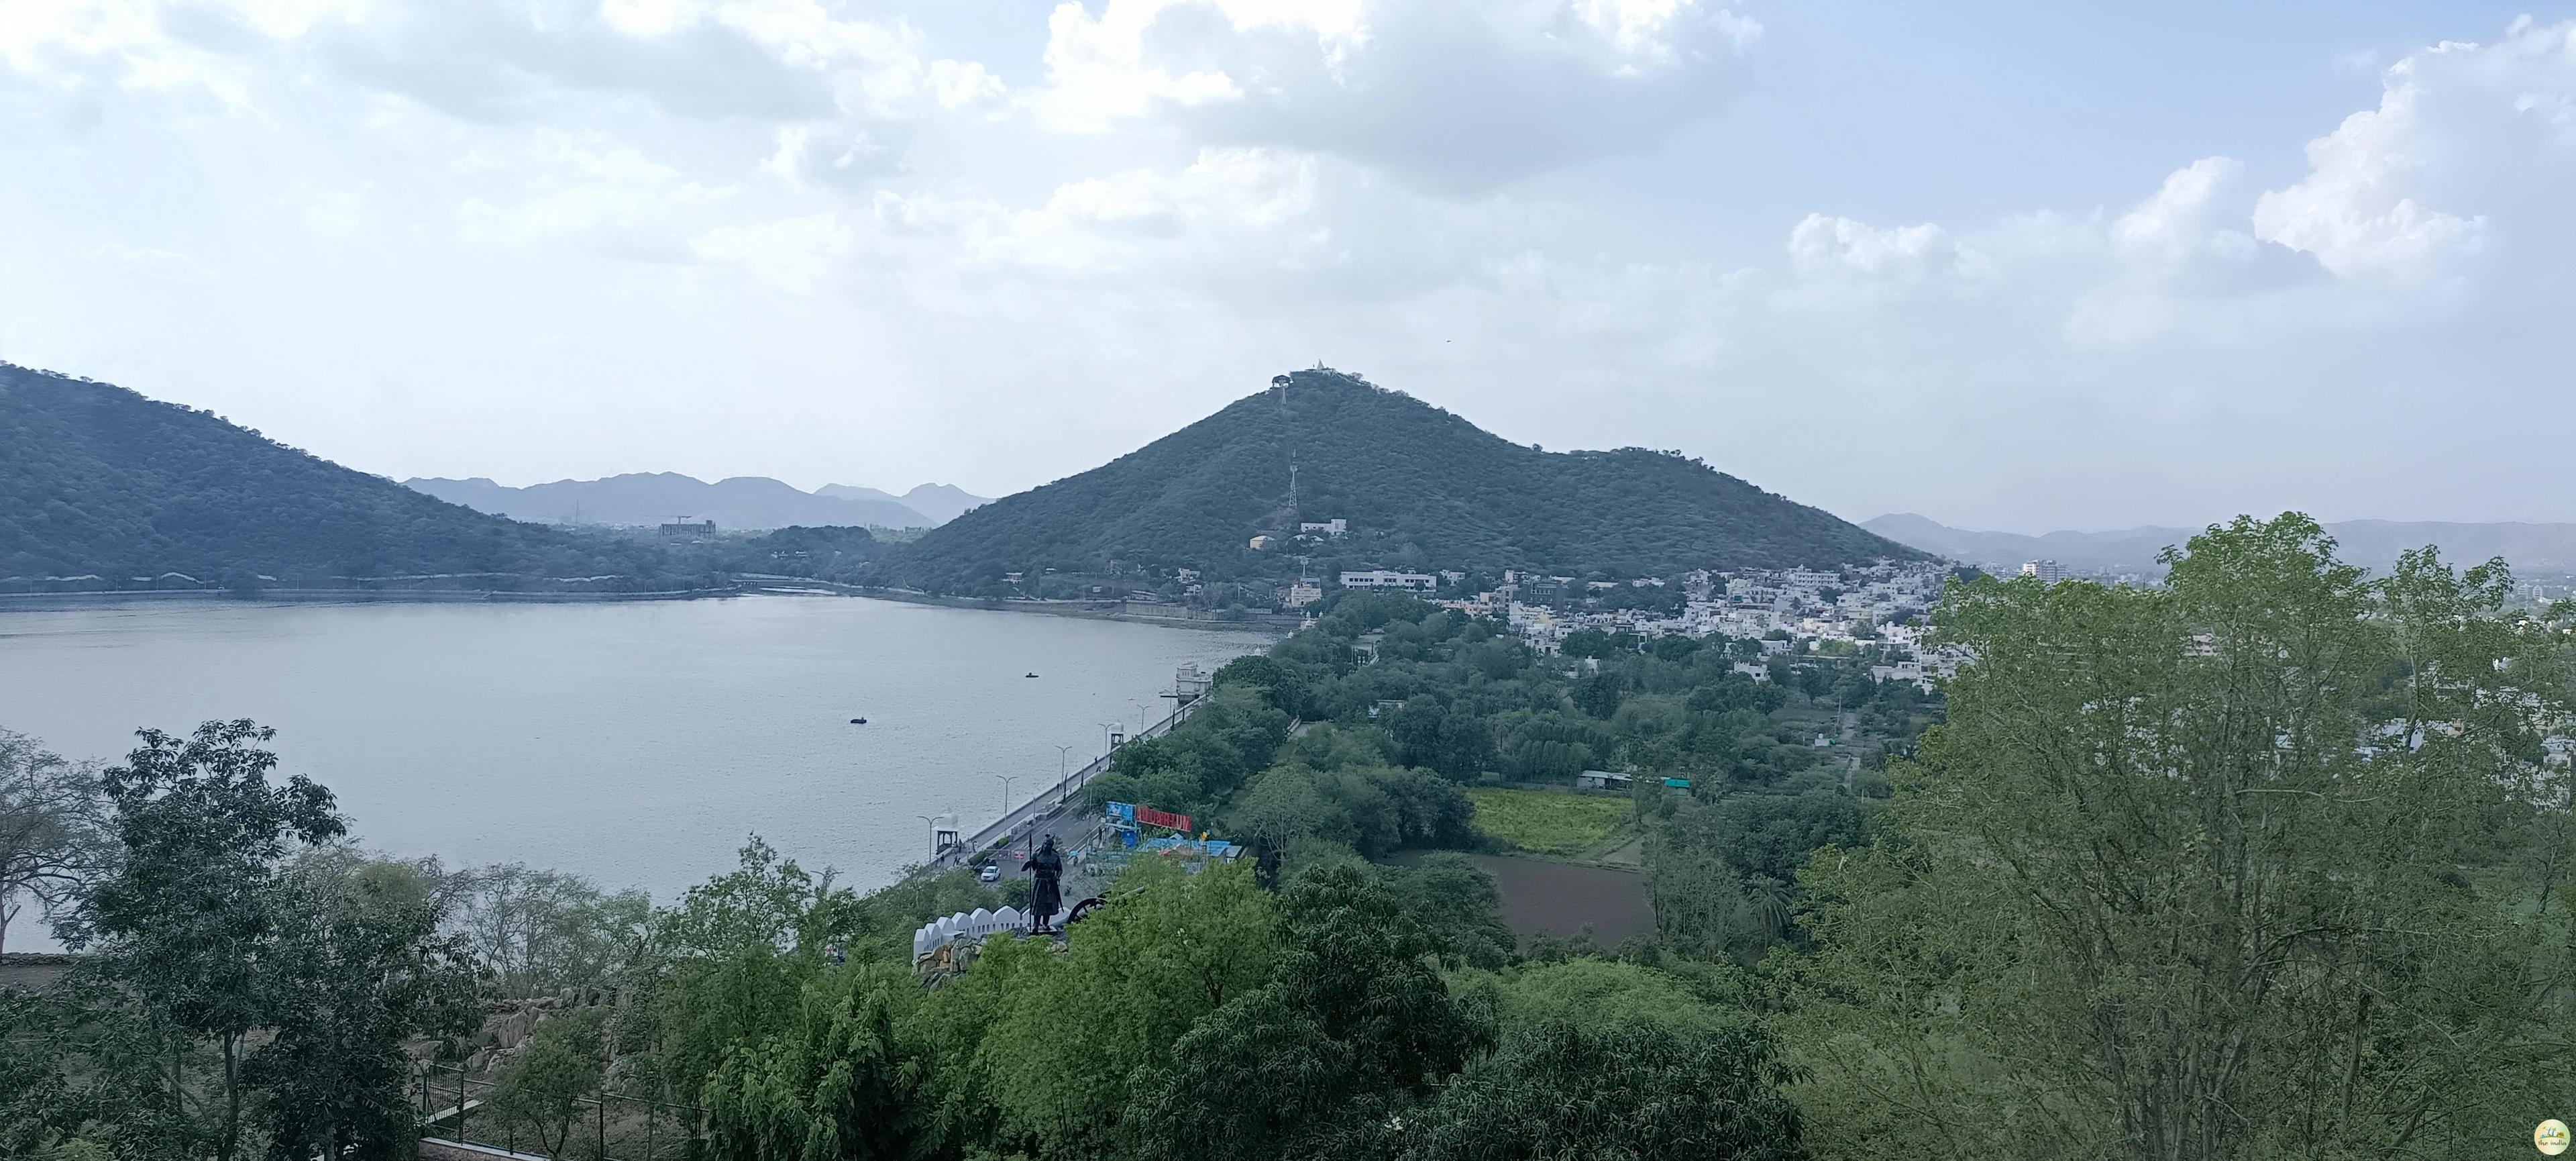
(99, 480)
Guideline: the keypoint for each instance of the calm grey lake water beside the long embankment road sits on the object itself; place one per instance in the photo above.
(632, 743)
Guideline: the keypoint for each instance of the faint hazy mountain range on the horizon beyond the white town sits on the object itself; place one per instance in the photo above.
(2376, 544)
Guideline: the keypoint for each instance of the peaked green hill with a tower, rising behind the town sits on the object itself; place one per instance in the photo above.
(1421, 488)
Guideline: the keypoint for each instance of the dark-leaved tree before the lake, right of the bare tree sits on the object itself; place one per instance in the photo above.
(189, 918)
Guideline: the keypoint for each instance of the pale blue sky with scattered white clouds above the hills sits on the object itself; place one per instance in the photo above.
(2011, 266)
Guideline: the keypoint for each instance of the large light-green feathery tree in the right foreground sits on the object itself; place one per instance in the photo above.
(2258, 864)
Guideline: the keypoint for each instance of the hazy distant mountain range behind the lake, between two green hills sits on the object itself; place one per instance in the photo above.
(741, 503)
